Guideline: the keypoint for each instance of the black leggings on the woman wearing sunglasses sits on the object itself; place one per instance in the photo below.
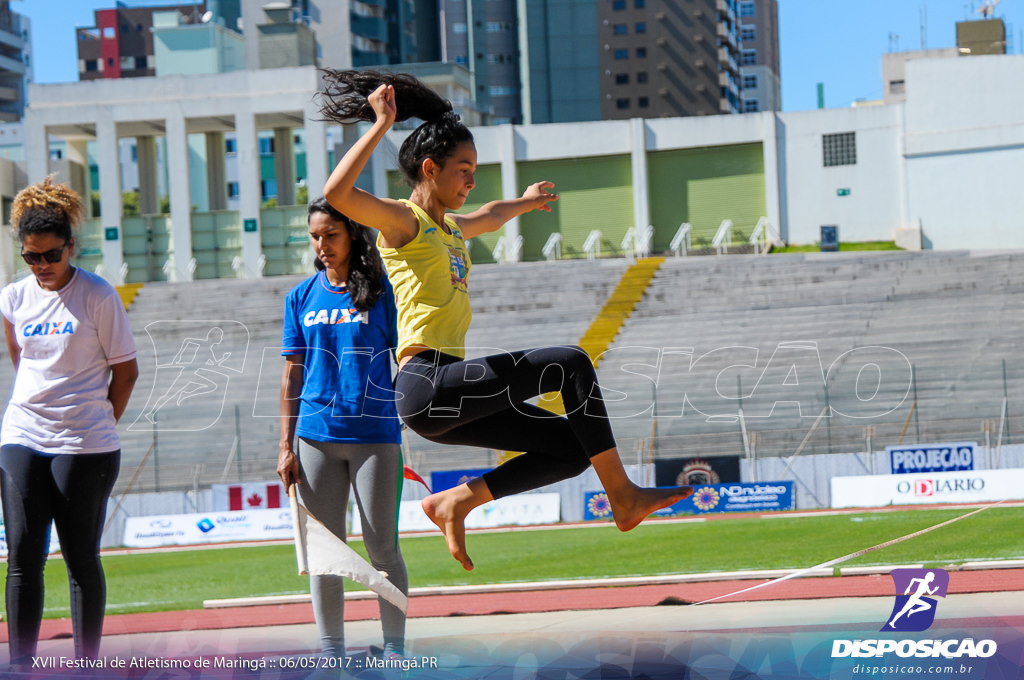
(70, 490)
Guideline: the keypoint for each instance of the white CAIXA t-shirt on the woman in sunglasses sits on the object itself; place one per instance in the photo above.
(69, 341)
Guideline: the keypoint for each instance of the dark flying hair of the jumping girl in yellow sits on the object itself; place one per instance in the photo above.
(344, 100)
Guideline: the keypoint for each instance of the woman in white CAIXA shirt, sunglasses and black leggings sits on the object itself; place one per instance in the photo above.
(75, 368)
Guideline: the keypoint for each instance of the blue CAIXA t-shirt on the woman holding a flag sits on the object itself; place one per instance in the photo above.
(347, 394)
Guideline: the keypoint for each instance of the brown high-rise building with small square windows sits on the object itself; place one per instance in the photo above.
(668, 58)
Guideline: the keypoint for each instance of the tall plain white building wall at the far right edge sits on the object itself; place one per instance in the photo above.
(965, 151)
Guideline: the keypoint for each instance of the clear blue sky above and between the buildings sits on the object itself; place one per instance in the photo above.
(836, 42)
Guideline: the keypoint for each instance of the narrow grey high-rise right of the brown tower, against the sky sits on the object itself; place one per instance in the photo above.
(759, 58)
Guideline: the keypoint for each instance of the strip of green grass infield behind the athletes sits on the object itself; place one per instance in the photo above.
(182, 580)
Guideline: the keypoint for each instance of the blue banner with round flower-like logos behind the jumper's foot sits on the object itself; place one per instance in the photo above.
(711, 498)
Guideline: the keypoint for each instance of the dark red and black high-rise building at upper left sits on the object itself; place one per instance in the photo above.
(120, 46)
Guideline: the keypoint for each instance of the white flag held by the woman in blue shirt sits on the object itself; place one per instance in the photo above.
(322, 554)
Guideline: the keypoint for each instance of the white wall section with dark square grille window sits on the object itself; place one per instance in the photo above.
(874, 208)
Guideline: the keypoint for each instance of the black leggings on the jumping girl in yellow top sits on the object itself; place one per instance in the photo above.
(482, 403)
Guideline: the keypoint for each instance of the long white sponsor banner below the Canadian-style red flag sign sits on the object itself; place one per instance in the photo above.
(208, 528)
